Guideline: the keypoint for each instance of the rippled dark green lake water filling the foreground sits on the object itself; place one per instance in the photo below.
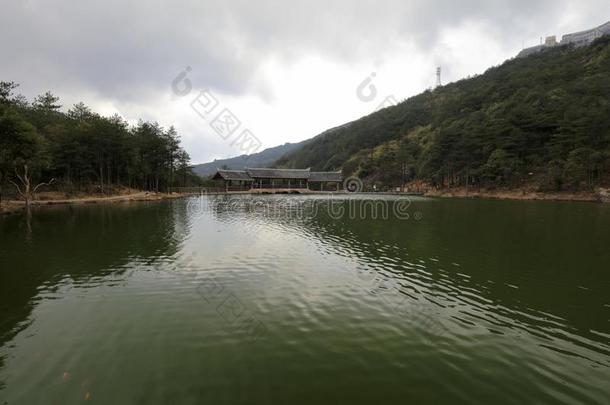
(307, 300)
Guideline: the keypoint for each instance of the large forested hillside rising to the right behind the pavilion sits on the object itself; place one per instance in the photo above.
(540, 121)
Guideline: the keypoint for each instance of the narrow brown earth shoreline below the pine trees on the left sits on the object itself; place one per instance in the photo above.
(13, 206)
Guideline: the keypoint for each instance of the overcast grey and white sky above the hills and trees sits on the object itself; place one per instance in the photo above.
(287, 70)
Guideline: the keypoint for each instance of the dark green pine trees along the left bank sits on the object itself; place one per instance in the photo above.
(81, 150)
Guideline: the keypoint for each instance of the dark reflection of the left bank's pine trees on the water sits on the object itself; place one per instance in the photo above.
(46, 255)
